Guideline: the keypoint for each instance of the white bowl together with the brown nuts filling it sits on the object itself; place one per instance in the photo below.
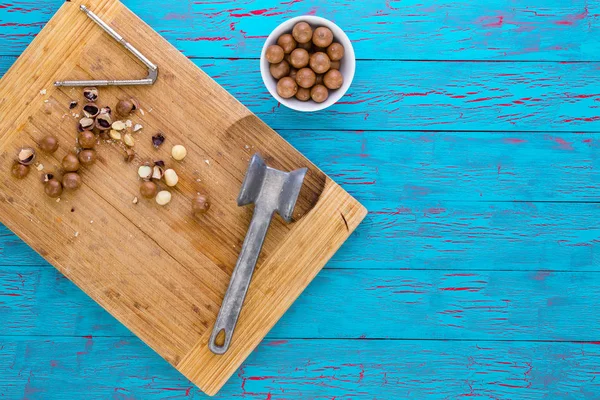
(317, 67)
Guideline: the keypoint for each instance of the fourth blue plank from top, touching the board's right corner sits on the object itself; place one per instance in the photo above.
(451, 235)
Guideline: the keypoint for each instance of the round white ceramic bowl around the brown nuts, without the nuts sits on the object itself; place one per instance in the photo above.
(347, 64)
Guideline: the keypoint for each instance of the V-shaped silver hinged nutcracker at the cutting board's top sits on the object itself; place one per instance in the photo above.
(152, 69)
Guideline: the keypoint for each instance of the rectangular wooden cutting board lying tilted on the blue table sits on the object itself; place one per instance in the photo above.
(156, 269)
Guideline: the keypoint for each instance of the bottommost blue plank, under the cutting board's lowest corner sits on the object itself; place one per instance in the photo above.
(97, 368)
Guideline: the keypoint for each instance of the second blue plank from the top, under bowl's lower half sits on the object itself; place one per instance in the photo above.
(477, 96)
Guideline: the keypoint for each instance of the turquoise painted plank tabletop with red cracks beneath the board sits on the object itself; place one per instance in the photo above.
(470, 133)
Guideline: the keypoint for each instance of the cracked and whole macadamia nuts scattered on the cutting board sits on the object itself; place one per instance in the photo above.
(97, 123)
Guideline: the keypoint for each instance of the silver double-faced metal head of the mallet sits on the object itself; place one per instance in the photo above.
(271, 187)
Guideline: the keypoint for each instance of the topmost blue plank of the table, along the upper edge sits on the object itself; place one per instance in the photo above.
(413, 30)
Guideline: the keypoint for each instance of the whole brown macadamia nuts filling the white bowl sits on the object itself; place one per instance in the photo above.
(306, 63)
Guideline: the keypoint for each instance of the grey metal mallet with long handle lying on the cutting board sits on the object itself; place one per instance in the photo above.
(270, 190)
